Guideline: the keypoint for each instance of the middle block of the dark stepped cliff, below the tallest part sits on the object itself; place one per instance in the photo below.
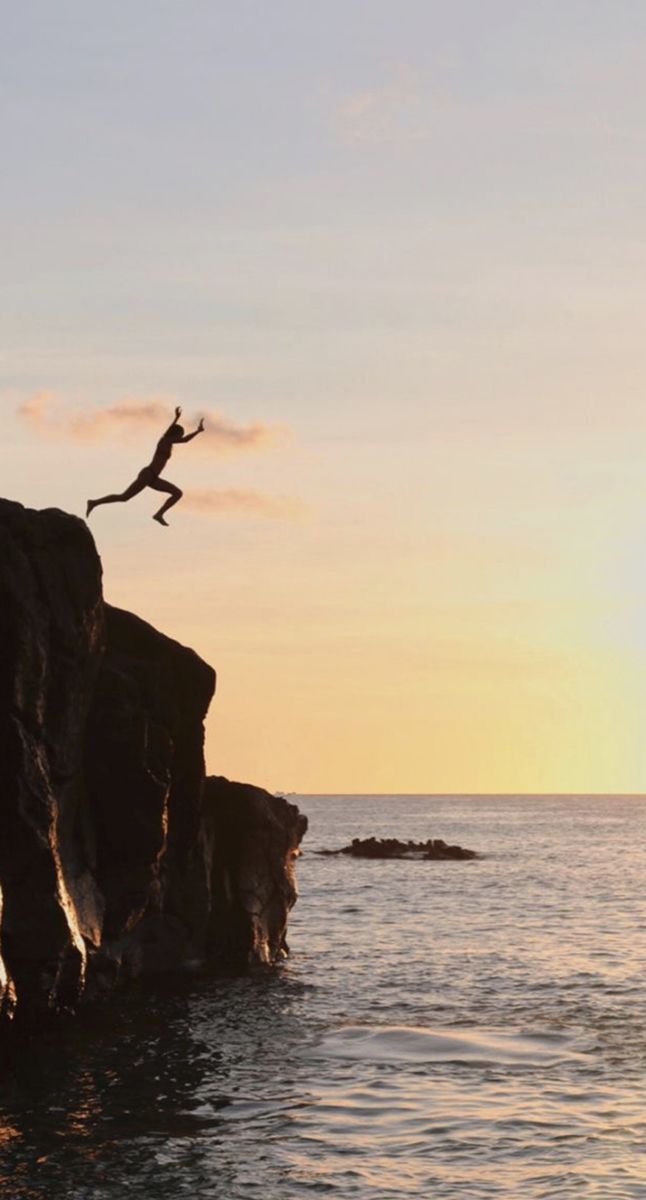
(145, 770)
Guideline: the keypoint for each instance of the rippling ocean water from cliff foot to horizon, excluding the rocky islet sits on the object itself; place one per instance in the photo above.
(442, 1030)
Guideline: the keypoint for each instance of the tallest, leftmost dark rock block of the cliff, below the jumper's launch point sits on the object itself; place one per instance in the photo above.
(51, 645)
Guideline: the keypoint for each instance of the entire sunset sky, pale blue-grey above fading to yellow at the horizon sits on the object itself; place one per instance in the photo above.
(394, 253)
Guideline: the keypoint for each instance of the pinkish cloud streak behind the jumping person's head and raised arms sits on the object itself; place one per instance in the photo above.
(51, 417)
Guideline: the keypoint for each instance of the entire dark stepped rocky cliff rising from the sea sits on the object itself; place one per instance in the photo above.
(117, 856)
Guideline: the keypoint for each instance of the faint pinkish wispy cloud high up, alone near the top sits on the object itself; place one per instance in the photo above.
(397, 112)
